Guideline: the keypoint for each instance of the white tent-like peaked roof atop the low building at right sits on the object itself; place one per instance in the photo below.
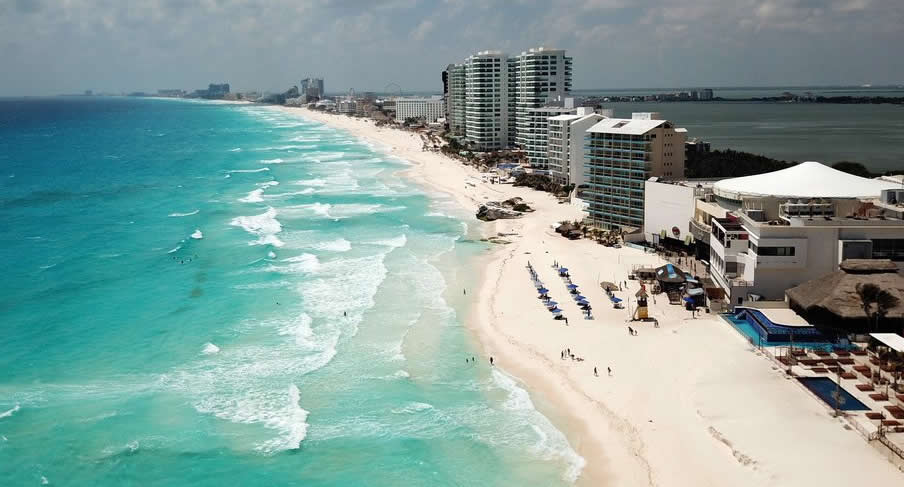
(805, 180)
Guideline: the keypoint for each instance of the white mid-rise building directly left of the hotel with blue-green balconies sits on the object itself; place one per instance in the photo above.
(565, 144)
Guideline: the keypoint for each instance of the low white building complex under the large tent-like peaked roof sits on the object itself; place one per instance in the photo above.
(770, 232)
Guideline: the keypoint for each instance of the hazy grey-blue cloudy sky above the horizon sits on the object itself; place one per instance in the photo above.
(67, 46)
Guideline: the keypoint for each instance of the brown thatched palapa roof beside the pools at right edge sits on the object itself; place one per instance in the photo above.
(836, 293)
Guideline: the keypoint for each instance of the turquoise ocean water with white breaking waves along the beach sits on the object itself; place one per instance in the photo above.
(208, 294)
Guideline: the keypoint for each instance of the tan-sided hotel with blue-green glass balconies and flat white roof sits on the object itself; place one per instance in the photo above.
(621, 155)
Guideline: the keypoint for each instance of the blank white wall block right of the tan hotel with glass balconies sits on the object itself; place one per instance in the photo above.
(666, 207)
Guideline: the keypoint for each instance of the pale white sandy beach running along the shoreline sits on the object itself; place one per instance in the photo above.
(690, 403)
